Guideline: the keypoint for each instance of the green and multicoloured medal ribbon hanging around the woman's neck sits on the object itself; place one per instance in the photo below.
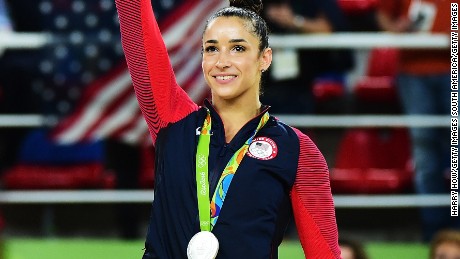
(209, 210)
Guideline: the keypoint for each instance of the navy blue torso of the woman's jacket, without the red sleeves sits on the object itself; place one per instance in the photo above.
(263, 184)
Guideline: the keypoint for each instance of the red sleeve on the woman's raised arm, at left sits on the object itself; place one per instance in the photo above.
(160, 98)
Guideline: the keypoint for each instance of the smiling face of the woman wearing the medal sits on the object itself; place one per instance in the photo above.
(232, 62)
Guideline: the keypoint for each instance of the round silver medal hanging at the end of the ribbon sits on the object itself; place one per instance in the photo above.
(203, 245)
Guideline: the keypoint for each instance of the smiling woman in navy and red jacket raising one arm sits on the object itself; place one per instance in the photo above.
(199, 149)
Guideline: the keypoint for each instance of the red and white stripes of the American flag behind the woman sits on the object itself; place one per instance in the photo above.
(108, 107)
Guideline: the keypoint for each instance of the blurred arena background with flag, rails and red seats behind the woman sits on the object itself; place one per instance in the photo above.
(76, 164)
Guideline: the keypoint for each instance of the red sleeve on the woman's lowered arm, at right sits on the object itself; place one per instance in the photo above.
(312, 203)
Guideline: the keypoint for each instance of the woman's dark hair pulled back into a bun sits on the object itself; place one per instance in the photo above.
(248, 10)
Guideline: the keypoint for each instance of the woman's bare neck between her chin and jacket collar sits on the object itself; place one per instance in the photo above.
(235, 115)
